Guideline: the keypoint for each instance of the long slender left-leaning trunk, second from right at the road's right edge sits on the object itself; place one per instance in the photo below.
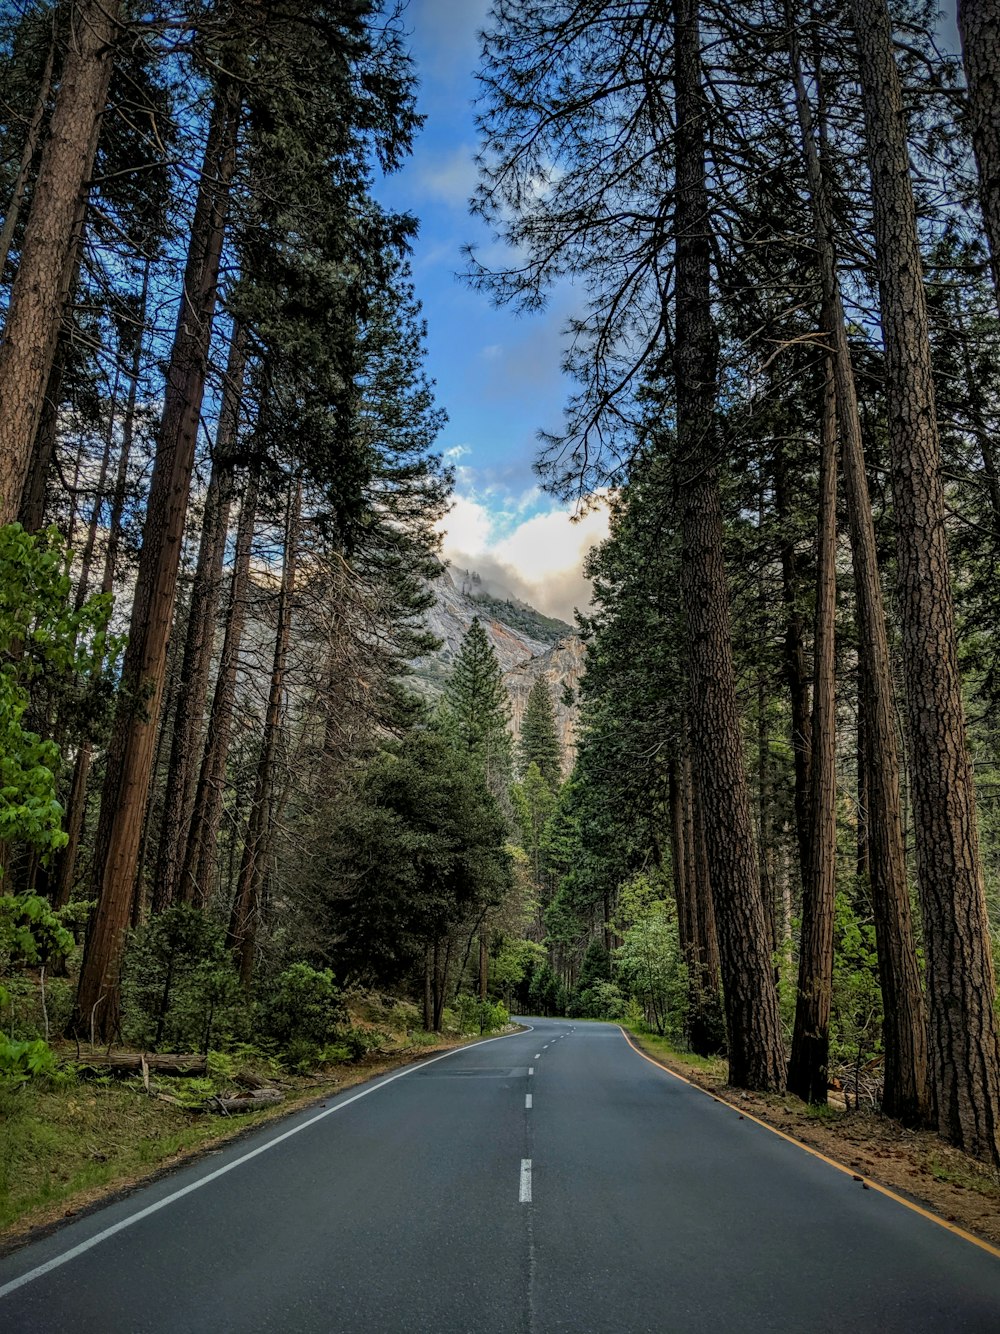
(905, 1029)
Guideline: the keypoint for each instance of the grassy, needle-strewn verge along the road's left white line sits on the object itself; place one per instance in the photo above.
(66, 1149)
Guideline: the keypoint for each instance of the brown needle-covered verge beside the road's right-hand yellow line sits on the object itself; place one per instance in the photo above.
(915, 1164)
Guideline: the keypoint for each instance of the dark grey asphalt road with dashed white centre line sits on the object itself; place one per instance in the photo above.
(551, 1181)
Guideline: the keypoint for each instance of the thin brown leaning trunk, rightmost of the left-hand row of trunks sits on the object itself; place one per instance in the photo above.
(246, 912)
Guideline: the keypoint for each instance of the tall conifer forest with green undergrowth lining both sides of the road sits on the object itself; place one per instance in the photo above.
(226, 812)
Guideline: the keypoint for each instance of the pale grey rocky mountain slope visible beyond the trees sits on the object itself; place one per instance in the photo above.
(529, 645)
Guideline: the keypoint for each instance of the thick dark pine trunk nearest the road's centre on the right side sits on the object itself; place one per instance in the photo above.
(757, 1056)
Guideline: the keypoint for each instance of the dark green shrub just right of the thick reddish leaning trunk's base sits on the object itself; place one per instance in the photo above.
(179, 984)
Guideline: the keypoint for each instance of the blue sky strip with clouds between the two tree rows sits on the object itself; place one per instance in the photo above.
(498, 376)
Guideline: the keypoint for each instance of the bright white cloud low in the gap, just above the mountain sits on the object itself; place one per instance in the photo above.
(538, 558)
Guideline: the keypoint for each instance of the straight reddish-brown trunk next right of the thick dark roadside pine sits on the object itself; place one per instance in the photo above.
(809, 1069)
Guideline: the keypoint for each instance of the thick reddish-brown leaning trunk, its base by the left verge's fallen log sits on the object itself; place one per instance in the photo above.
(134, 738)
